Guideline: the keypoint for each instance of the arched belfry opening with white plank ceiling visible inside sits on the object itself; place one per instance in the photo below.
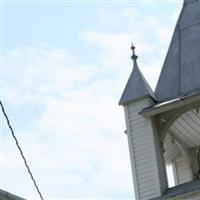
(182, 146)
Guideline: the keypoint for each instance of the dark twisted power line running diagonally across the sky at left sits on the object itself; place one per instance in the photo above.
(20, 150)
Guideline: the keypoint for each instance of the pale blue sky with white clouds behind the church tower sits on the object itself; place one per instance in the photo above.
(64, 65)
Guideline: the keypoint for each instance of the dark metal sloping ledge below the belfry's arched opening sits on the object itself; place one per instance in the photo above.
(180, 190)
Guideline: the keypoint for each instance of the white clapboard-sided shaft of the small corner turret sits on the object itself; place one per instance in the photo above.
(147, 160)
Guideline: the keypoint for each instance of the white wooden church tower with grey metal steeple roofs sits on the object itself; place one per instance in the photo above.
(163, 127)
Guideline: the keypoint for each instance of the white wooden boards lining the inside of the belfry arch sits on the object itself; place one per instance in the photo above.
(186, 130)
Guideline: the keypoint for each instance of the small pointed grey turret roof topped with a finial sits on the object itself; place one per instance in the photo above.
(137, 86)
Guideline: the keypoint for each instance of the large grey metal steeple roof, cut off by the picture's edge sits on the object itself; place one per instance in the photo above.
(180, 74)
